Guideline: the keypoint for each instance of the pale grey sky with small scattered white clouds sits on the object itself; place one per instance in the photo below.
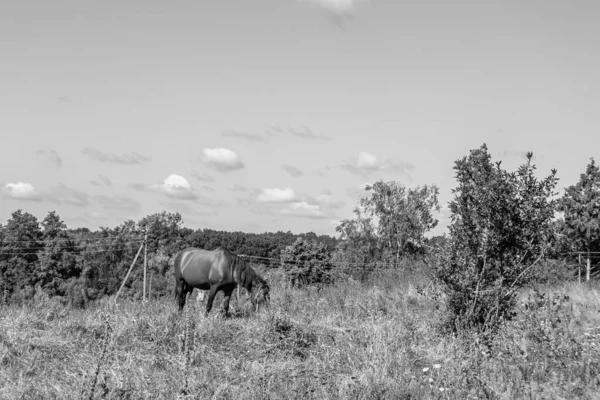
(271, 115)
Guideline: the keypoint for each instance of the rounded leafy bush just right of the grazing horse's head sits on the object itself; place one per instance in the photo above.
(306, 262)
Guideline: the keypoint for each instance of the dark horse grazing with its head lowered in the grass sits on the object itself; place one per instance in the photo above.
(215, 270)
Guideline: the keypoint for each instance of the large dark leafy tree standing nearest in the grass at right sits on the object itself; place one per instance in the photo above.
(500, 230)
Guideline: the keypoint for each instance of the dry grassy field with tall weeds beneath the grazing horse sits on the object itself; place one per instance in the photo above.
(349, 341)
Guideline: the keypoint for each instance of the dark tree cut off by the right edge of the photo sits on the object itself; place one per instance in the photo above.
(580, 206)
